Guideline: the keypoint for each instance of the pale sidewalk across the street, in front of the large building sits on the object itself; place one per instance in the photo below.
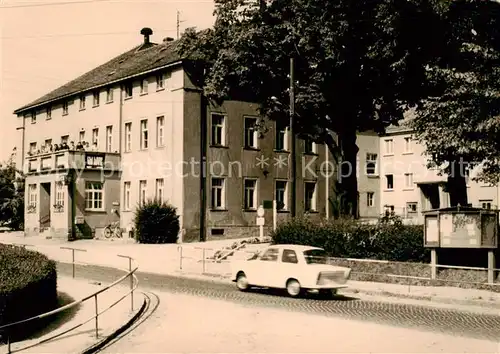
(165, 259)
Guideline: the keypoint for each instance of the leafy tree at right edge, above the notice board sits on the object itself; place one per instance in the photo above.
(459, 123)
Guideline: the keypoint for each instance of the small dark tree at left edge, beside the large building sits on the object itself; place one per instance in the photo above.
(11, 196)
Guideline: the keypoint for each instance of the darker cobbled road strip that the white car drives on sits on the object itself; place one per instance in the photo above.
(446, 321)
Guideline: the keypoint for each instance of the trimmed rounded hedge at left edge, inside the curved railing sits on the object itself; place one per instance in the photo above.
(28, 287)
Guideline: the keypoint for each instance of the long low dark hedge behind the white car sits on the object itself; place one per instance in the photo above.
(347, 238)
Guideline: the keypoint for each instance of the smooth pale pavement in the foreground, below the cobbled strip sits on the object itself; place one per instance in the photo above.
(192, 324)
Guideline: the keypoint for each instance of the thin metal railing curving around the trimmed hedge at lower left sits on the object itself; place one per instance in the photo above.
(130, 274)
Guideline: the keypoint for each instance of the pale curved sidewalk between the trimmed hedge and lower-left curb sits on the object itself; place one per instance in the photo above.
(79, 339)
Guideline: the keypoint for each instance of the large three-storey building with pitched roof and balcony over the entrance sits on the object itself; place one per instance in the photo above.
(146, 128)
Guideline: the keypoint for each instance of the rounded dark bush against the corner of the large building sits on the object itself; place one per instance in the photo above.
(156, 222)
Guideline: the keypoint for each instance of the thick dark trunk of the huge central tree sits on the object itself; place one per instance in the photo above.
(348, 178)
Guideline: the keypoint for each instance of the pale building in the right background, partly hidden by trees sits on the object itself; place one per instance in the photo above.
(408, 187)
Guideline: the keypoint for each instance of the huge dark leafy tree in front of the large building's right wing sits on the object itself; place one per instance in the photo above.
(359, 62)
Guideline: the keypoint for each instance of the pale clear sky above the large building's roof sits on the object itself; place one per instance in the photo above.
(46, 43)
